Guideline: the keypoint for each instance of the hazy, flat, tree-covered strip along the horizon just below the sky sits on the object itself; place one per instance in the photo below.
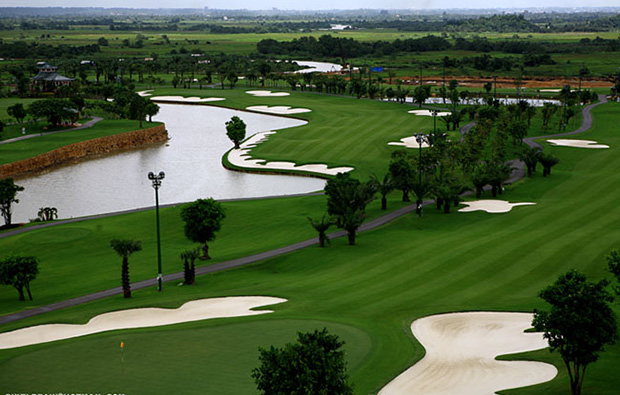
(449, 23)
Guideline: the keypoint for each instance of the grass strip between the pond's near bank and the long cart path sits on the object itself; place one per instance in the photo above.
(68, 252)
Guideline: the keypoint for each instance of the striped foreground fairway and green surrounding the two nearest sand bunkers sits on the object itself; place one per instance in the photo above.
(369, 293)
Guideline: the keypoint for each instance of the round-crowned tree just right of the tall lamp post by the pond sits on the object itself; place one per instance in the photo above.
(203, 218)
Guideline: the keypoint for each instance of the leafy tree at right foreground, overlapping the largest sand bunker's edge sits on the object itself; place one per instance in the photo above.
(579, 324)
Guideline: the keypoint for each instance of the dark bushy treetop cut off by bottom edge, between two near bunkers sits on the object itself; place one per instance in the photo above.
(314, 365)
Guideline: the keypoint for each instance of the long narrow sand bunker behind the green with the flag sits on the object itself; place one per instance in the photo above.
(195, 310)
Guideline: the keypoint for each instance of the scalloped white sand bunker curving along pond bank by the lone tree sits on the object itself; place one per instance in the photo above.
(241, 157)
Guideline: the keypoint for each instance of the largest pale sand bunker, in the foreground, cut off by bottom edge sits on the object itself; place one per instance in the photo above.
(460, 355)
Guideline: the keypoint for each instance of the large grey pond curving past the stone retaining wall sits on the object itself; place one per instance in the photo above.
(191, 161)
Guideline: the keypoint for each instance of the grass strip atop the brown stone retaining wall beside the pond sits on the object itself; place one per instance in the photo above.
(19, 150)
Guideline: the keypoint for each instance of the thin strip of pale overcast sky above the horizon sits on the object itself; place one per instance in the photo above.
(309, 5)
